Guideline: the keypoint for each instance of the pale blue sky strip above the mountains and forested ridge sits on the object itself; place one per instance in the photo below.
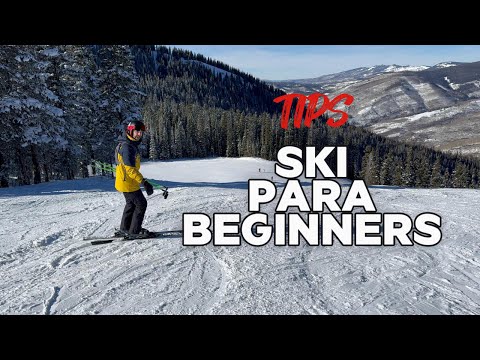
(281, 62)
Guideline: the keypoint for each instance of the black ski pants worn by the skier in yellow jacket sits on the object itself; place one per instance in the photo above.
(134, 212)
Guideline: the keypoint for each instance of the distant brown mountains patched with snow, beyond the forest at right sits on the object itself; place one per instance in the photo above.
(437, 106)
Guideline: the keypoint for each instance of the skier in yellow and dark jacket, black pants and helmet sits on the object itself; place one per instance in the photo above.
(128, 179)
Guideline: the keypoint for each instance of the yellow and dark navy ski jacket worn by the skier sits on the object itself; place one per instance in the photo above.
(127, 176)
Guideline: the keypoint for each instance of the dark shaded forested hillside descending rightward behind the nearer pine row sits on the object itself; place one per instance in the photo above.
(185, 77)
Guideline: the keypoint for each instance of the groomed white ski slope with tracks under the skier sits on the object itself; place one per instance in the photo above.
(47, 269)
